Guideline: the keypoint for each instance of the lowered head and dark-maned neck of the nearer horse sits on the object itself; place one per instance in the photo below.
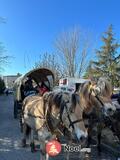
(66, 108)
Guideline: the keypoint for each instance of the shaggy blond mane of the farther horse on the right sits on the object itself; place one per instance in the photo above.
(87, 99)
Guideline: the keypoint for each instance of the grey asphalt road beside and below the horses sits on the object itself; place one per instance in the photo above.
(10, 138)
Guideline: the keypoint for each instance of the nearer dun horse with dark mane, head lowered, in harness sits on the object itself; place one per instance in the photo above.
(56, 113)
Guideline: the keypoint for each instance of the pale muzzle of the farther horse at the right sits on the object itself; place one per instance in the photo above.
(109, 109)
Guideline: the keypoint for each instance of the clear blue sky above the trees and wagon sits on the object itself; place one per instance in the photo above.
(32, 25)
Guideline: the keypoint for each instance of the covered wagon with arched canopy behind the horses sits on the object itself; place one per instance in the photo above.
(37, 76)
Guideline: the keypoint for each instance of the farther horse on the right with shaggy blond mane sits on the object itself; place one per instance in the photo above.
(95, 98)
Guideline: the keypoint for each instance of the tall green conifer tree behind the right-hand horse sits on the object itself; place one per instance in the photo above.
(108, 59)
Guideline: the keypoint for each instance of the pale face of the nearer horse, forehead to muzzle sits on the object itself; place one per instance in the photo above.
(75, 114)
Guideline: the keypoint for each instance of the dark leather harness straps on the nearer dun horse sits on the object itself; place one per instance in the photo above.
(49, 119)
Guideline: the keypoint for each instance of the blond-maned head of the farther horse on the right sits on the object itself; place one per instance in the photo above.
(98, 95)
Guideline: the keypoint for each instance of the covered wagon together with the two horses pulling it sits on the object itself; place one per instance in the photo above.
(63, 110)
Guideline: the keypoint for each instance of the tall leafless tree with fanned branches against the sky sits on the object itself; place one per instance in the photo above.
(73, 50)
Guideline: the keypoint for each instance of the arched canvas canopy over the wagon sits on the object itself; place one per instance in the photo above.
(37, 75)
